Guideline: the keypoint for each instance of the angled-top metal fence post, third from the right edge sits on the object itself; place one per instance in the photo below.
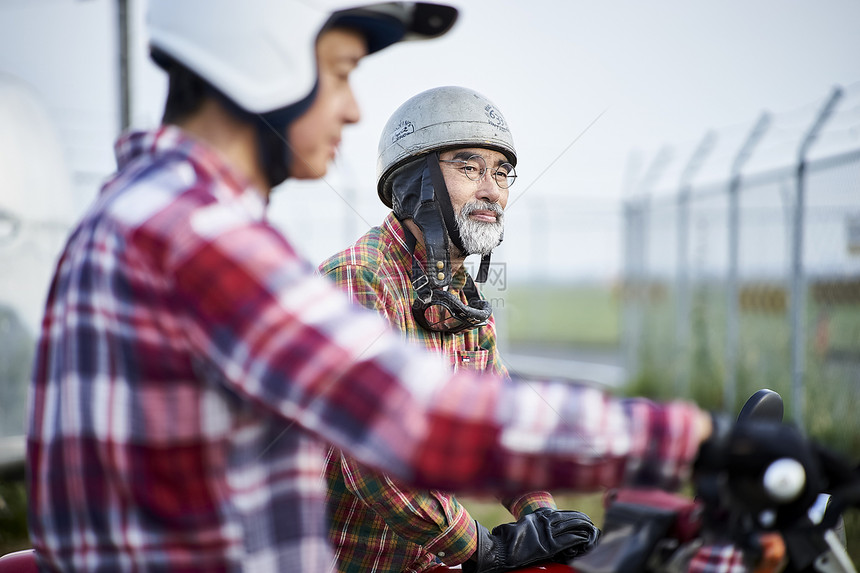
(682, 303)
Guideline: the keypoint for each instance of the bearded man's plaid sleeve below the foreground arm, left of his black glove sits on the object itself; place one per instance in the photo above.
(430, 518)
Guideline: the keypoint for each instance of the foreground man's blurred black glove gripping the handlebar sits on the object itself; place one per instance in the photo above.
(744, 451)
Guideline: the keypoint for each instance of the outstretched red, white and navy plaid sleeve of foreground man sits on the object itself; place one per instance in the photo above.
(290, 344)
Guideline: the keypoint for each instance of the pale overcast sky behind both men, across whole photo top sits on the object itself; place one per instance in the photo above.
(585, 86)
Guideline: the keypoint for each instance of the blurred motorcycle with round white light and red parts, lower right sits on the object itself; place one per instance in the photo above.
(653, 531)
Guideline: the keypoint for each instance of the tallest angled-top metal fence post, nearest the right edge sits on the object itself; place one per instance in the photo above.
(798, 290)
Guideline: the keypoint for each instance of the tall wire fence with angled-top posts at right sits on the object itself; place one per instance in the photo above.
(742, 267)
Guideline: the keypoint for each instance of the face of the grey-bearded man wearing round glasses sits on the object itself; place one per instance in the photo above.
(478, 205)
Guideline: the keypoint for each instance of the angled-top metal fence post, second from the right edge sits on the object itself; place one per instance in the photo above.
(732, 288)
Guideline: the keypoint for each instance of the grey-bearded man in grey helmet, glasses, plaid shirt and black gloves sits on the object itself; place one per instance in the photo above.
(446, 163)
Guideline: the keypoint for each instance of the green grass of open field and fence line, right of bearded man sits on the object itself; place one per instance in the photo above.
(695, 366)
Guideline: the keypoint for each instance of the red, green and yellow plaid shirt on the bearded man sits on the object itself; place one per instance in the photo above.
(377, 524)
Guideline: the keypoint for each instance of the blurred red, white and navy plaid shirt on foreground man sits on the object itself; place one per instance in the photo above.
(190, 365)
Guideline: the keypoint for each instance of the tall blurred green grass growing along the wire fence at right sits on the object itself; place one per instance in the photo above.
(696, 367)
